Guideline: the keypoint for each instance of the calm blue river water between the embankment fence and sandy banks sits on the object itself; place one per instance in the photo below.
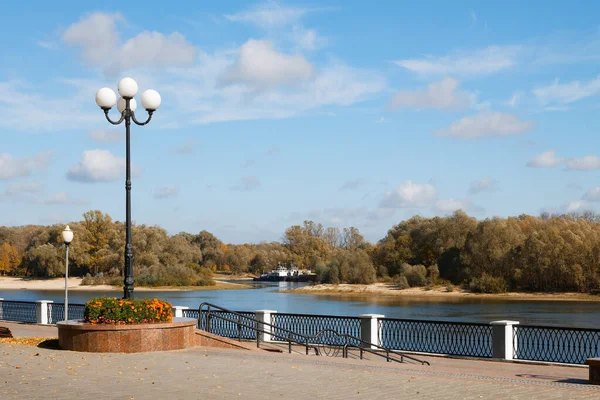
(584, 314)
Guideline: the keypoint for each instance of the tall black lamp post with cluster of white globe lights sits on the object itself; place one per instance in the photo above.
(106, 99)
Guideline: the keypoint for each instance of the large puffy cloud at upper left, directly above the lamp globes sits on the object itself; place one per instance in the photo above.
(97, 36)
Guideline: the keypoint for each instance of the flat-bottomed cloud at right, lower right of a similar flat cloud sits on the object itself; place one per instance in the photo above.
(485, 124)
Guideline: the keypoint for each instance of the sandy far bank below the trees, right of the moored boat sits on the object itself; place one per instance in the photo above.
(437, 292)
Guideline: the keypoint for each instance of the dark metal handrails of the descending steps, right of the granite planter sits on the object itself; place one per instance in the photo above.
(347, 341)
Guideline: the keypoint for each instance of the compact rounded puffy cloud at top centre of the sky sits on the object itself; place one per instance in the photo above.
(260, 64)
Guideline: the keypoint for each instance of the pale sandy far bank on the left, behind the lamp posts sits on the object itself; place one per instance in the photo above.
(12, 283)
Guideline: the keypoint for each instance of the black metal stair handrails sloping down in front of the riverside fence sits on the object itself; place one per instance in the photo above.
(307, 339)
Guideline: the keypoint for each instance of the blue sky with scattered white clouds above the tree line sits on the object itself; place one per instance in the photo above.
(347, 113)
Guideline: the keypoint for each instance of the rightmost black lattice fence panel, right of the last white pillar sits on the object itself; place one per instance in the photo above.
(555, 344)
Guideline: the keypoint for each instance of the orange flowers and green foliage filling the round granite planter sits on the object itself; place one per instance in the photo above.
(105, 310)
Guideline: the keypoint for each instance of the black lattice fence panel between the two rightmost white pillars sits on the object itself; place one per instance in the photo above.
(453, 338)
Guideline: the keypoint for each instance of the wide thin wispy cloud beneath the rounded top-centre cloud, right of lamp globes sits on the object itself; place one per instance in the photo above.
(202, 96)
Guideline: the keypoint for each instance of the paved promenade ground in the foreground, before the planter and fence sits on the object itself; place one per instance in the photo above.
(34, 373)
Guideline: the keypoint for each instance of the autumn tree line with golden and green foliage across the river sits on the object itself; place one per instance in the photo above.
(546, 253)
